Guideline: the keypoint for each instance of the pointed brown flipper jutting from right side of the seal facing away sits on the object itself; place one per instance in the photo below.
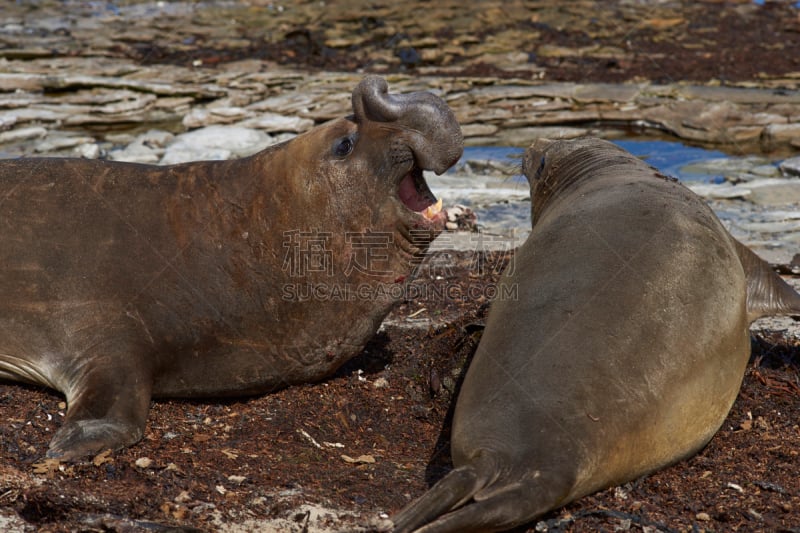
(767, 293)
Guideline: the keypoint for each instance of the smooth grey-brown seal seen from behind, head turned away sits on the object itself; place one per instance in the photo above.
(623, 353)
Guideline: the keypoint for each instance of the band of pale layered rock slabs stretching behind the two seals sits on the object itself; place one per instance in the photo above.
(45, 102)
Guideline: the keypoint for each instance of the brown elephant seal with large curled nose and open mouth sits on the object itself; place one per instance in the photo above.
(124, 281)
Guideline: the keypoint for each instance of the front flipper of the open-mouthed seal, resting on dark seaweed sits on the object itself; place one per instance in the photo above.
(107, 407)
